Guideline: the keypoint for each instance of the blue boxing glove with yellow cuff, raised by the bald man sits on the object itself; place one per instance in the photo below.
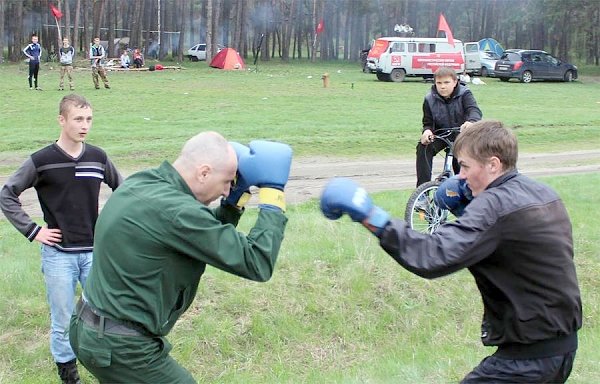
(267, 165)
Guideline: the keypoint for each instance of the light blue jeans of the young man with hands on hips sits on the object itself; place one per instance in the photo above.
(61, 272)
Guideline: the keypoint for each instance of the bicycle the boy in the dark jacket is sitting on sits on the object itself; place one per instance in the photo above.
(429, 218)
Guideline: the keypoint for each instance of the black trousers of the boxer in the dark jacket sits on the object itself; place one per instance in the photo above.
(492, 369)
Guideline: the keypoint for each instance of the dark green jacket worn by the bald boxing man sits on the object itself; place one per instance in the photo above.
(153, 241)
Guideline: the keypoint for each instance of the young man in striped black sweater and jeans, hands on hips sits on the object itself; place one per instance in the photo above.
(66, 176)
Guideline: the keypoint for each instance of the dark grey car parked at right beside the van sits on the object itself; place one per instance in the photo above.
(529, 65)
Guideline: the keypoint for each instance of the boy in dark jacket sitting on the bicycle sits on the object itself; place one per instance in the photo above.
(448, 104)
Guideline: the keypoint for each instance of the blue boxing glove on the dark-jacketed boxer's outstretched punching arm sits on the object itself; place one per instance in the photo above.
(343, 195)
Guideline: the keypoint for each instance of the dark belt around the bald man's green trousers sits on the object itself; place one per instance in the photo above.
(105, 324)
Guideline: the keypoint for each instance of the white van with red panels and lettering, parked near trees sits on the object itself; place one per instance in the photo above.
(393, 58)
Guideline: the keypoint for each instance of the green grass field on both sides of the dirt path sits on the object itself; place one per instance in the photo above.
(338, 309)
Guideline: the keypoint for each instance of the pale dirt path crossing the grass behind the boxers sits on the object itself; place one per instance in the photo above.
(309, 175)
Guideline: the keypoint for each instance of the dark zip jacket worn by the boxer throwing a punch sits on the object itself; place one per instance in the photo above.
(515, 238)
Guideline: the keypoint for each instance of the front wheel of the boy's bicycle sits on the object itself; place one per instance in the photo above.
(425, 216)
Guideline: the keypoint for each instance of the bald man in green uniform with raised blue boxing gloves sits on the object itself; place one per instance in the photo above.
(154, 239)
